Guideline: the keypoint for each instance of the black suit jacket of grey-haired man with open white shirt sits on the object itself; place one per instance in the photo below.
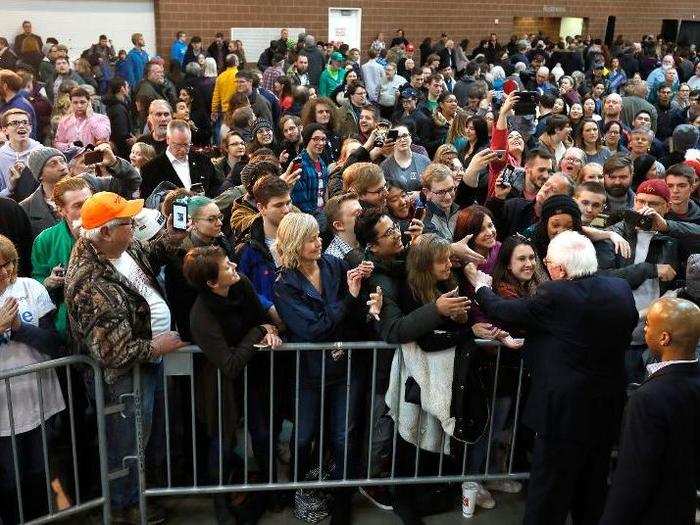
(160, 169)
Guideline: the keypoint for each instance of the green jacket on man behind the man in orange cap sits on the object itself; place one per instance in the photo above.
(51, 248)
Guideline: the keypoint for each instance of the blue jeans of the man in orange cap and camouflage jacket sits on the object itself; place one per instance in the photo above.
(121, 430)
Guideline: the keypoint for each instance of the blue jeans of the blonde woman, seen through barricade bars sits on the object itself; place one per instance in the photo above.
(335, 398)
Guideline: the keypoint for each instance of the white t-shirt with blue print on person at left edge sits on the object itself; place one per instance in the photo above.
(34, 303)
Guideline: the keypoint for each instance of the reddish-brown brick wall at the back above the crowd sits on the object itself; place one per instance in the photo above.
(418, 18)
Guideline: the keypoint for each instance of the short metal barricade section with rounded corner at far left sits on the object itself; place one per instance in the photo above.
(40, 372)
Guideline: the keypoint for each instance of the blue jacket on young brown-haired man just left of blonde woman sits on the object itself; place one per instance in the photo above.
(257, 264)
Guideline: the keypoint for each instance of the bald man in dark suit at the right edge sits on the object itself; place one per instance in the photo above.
(658, 469)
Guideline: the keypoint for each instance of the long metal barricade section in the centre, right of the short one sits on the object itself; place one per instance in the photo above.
(181, 364)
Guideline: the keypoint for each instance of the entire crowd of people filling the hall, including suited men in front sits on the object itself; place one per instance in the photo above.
(540, 195)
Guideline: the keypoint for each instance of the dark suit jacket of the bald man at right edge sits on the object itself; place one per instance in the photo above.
(658, 466)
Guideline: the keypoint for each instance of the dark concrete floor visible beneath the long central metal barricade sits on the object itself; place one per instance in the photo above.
(509, 511)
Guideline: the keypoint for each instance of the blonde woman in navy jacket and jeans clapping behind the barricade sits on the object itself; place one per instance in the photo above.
(317, 298)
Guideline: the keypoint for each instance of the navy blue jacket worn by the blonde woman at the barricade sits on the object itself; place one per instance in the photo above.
(312, 317)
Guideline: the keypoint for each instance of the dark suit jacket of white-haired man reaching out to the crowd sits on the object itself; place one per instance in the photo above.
(577, 334)
